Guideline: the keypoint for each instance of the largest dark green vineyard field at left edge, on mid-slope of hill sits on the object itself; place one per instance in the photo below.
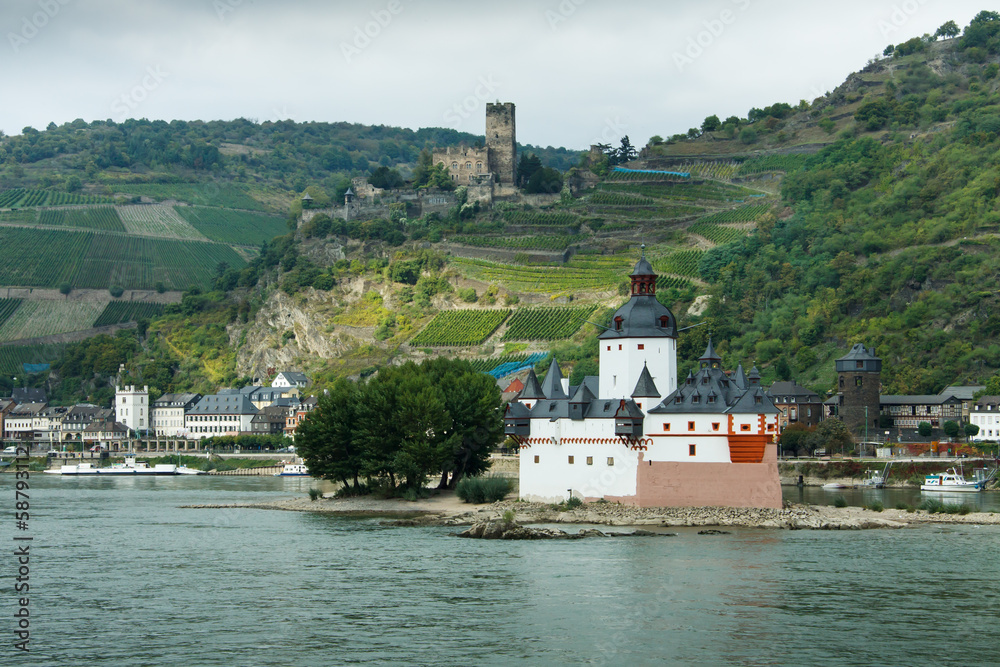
(86, 259)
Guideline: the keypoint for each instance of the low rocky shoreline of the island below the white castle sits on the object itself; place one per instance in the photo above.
(446, 510)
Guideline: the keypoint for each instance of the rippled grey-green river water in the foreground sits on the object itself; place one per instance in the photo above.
(121, 575)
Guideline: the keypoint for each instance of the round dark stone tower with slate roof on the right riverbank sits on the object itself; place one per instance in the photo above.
(859, 385)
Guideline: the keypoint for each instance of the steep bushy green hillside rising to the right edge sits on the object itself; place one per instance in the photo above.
(887, 236)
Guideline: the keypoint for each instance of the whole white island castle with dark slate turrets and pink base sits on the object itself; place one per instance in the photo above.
(633, 435)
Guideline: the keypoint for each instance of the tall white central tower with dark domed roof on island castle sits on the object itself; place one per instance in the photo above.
(643, 334)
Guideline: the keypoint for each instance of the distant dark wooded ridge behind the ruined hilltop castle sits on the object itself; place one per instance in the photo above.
(285, 154)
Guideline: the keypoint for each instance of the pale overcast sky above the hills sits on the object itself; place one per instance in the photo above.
(579, 71)
